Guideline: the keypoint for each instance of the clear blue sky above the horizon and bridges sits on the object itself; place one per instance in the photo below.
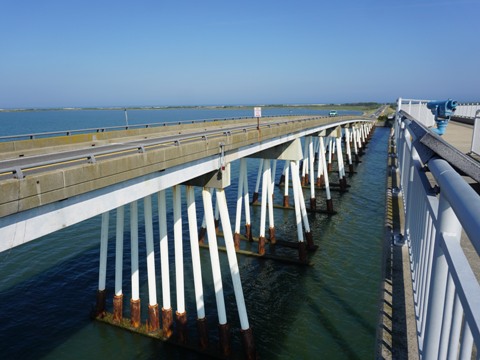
(174, 52)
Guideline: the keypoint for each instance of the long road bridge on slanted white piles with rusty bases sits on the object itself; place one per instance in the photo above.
(51, 181)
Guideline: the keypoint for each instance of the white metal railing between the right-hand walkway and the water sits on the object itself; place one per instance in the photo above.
(446, 292)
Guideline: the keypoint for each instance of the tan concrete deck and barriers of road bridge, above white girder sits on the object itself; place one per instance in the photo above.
(72, 165)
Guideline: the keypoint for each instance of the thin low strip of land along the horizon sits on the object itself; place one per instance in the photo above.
(347, 106)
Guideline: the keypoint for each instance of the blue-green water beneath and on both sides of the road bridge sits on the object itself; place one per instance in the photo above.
(328, 310)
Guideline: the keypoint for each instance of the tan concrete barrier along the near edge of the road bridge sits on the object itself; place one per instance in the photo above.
(47, 187)
